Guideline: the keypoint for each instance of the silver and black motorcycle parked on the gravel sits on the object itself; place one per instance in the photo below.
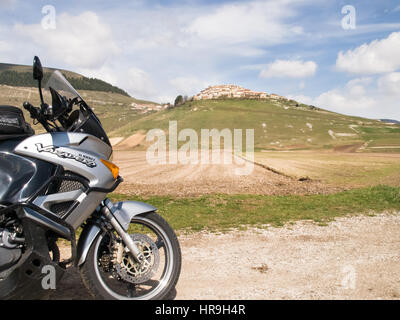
(54, 186)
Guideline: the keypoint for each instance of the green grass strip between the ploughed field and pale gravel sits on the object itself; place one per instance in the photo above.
(224, 212)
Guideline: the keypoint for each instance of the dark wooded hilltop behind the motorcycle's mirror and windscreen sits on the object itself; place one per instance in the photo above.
(21, 76)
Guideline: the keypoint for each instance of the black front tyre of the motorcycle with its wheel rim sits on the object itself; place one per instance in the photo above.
(96, 280)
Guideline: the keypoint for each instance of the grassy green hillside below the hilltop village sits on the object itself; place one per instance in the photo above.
(279, 124)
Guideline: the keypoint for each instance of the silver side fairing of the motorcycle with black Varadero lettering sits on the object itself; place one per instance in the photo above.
(79, 153)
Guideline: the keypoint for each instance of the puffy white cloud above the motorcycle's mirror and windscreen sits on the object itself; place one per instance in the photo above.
(81, 41)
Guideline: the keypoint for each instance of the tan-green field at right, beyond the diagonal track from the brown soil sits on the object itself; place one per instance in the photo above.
(344, 170)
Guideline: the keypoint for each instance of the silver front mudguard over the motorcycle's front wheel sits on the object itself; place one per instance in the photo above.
(123, 212)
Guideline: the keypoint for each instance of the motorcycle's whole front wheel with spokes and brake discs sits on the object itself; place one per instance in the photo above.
(110, 272)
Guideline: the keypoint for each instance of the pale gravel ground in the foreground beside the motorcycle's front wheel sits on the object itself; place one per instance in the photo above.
(351, 258)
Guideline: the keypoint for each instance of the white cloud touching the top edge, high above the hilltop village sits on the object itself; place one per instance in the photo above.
(250, 22)
